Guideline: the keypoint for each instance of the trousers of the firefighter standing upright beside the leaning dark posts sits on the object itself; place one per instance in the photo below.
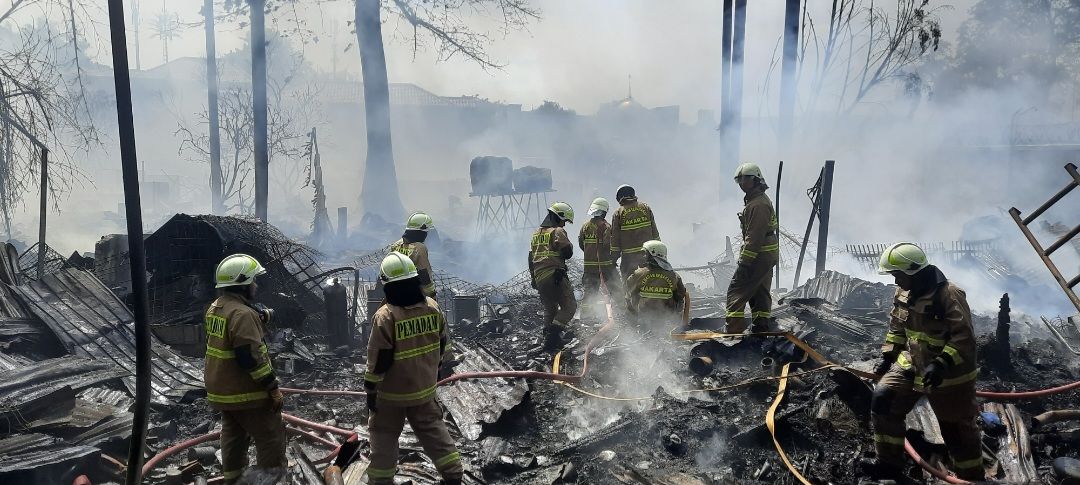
(751, 286)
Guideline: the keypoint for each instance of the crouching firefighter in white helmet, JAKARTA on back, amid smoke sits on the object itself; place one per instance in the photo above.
(655, 293)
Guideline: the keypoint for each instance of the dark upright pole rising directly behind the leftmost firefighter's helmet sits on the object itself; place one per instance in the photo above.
(260, 106)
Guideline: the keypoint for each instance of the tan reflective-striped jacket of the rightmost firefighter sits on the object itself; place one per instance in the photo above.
(936, 327)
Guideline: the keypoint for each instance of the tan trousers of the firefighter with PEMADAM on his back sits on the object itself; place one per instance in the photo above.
(385, 427)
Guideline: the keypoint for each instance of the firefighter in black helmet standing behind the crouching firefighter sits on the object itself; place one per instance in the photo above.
(632, 225)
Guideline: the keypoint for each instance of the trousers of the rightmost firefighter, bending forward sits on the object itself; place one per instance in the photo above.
(955, 408)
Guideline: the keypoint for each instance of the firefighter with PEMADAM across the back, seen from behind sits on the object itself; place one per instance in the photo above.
(409, 353)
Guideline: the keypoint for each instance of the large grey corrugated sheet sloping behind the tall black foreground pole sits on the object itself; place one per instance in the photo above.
(90, 321)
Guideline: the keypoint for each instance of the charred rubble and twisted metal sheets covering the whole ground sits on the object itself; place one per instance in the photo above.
(647, 410)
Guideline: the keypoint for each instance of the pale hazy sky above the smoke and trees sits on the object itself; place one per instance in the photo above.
(580, 53)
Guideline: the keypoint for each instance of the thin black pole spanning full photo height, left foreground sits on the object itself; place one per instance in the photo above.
(137, 252)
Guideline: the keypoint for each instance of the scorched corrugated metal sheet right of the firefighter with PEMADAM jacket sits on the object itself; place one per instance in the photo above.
(474, 403)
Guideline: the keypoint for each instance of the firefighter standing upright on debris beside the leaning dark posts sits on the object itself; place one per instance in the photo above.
(761, 252)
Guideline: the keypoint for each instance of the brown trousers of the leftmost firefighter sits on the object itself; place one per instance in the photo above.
(239, 428)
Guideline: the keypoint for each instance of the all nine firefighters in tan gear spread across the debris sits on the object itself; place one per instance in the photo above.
(929, 351)
